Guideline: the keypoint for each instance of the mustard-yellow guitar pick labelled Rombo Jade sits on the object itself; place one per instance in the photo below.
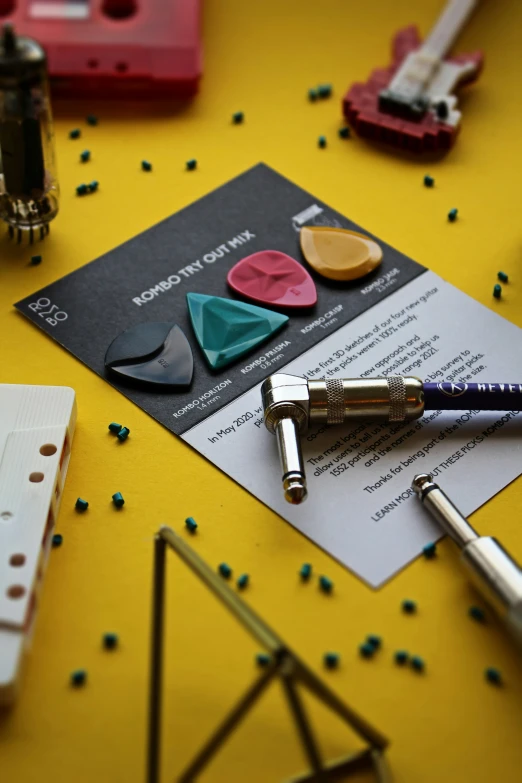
(339, 254)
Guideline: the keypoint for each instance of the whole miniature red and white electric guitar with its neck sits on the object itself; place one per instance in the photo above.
(411, 104)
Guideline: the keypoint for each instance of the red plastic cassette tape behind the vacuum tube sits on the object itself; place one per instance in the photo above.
(107, 48)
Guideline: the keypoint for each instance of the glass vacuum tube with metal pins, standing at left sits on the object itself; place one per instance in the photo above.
(28, 185)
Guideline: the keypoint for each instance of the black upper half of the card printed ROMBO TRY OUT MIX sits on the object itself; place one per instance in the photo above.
(147, 278)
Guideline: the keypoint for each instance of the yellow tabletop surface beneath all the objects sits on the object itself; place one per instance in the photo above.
(447, 724)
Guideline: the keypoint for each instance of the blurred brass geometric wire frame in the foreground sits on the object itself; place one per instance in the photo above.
(284, 665)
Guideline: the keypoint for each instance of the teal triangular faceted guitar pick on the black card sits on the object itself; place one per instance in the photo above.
(226, 329)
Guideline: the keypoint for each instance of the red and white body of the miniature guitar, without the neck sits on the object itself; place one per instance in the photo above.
(434, 122)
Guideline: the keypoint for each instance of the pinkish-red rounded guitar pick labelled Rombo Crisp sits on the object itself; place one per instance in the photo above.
(274, 278)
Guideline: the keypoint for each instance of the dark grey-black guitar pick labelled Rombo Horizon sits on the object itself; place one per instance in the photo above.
(155, 353)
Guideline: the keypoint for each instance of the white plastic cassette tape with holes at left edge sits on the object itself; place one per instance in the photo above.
(36, 430)
